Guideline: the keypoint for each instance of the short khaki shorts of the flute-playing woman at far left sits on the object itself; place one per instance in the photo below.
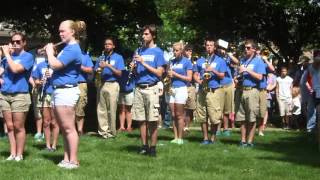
(15, 102)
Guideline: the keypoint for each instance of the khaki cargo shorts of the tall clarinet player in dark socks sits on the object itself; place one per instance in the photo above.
(146, 104)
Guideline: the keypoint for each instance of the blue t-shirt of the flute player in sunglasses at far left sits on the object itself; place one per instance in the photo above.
(17, 83)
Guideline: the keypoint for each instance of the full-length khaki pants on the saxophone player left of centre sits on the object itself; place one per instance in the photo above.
(107, 108)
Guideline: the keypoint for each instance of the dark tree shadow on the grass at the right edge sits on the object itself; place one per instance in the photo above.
(301, 149)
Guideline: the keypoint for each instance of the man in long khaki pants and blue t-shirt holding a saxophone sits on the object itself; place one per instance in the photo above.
(112, 65)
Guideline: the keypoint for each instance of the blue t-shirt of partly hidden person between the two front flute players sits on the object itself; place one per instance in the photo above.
(39, 72)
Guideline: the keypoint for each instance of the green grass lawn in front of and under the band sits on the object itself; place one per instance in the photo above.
(278, 155)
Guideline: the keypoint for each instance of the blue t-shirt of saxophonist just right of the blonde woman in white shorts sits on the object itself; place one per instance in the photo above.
(215, 62)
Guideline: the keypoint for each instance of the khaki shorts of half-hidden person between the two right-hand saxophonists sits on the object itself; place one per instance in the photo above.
(227, 99)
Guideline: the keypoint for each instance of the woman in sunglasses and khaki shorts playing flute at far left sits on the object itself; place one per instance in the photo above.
(15, 98)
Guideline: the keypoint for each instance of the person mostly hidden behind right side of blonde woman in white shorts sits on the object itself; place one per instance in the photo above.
(191, 101)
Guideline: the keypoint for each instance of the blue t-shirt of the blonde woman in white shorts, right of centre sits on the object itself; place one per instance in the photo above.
(180, 66)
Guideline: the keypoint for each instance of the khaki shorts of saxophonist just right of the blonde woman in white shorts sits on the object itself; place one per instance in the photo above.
(209, 104)
